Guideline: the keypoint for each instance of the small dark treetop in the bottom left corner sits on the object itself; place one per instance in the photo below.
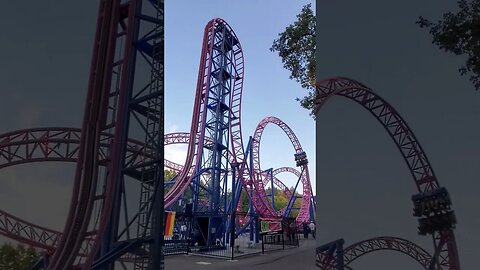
(17, 258)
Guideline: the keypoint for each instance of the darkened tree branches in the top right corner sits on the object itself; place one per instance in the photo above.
(459, 33)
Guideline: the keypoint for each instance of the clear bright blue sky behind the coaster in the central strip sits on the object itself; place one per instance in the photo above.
(267, 91)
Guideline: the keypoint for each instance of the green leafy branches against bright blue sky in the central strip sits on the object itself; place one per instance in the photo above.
(296, 47)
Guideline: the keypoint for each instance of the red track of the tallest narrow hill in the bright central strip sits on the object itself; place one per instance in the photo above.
(198, 123)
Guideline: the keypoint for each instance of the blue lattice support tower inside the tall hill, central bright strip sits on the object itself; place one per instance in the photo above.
(217, 115)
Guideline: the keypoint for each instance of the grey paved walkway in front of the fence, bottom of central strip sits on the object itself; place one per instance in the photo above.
(302, 258)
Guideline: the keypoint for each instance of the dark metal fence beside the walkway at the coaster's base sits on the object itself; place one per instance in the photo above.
(192, 236)
